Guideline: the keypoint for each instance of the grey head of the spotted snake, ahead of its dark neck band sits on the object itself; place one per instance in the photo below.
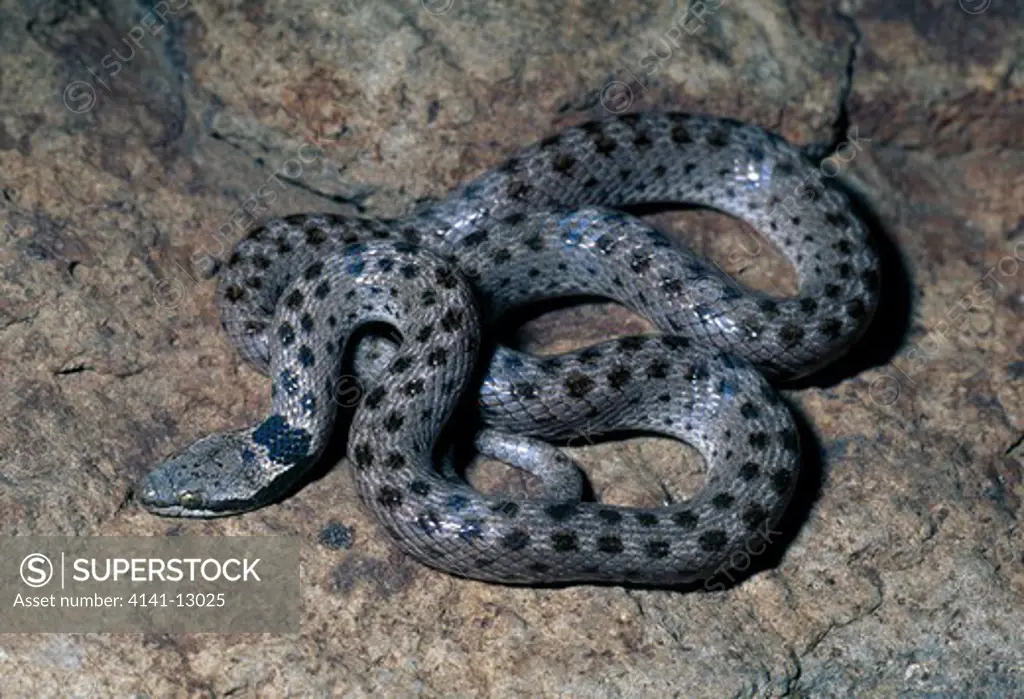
(217, 476)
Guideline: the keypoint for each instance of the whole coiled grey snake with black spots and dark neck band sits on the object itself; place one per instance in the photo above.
(415, 303)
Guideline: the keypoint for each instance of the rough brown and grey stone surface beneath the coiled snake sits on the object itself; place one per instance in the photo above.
(900, 572)
